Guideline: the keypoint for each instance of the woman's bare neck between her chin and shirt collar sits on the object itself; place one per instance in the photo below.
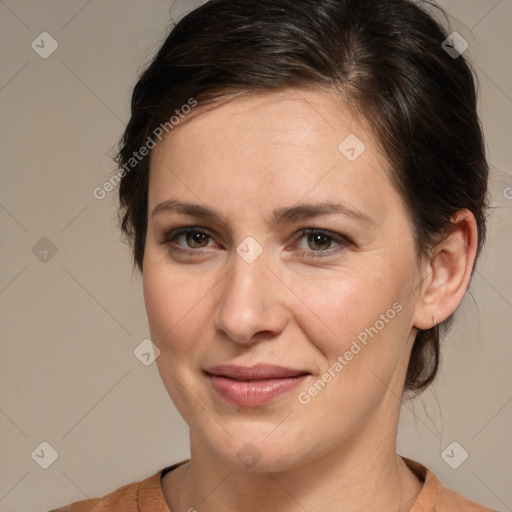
(363, 473)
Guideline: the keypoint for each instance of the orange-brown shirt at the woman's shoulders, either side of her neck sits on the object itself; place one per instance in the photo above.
(147, 496)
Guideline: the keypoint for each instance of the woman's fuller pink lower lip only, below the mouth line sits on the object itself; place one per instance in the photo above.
(255, 392)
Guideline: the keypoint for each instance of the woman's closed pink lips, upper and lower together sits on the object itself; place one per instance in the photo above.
(256, 385)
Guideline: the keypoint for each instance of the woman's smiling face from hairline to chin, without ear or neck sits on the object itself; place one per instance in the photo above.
(334, 306)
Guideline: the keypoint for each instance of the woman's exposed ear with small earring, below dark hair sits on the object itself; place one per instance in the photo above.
(447, 272)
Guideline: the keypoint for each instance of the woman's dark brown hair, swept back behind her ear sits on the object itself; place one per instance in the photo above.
(383, 57)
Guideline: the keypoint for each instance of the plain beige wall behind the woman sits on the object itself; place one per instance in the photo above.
(69, 325)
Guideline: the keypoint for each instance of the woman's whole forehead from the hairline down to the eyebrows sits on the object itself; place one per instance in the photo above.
(273, 148)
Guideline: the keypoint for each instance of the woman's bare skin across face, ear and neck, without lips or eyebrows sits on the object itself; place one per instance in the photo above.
(245, 158)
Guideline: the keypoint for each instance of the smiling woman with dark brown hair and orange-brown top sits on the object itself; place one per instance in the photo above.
(304, 183)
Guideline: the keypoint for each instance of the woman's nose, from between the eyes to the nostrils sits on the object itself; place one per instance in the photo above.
(250, 308)
